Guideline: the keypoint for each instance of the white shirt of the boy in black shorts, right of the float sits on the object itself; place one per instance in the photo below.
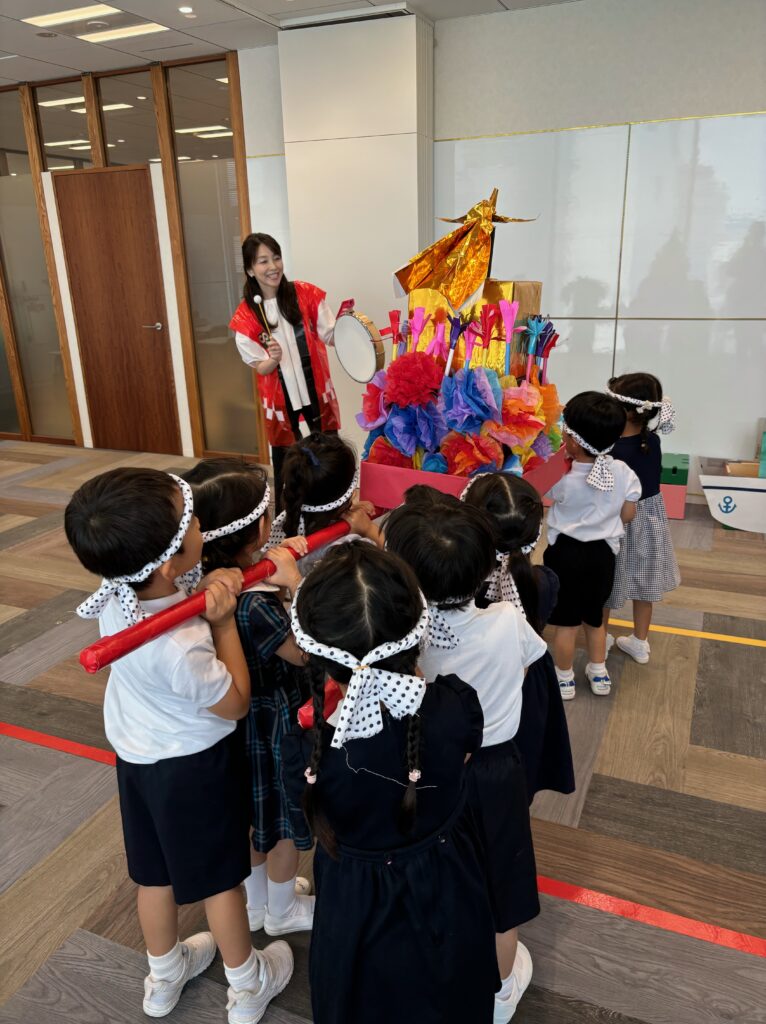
(586, 514)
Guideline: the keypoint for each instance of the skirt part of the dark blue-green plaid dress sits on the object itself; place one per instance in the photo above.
(272, 715)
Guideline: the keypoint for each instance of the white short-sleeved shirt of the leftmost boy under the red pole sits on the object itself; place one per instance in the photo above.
(157, 697)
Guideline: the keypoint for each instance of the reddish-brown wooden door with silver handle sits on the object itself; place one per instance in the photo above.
(113, 261)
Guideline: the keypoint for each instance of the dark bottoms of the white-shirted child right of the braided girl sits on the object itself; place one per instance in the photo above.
(498, 795)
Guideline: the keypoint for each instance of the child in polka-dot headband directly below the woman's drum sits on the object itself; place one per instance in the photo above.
(320, 486)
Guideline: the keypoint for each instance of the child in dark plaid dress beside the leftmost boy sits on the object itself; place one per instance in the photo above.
(232, 498)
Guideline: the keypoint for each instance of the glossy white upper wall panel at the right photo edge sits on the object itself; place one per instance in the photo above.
(695, 240)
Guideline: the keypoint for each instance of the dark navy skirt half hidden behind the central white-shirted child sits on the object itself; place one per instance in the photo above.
(543, 737)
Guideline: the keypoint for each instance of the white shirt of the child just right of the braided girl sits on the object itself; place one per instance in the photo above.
(496, 646)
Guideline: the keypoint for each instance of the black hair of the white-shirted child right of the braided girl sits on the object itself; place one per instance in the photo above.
(448, 544)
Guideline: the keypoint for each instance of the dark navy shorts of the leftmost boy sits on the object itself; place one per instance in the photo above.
(186, 821)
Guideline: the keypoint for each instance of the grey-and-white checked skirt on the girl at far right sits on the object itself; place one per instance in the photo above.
(647, 569)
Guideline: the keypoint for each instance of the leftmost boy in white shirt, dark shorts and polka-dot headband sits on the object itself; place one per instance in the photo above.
(171, 712)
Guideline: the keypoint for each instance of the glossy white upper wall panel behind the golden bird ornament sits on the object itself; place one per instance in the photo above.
(573, 183)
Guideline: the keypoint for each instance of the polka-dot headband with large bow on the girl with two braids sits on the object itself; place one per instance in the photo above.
(369, 688)
